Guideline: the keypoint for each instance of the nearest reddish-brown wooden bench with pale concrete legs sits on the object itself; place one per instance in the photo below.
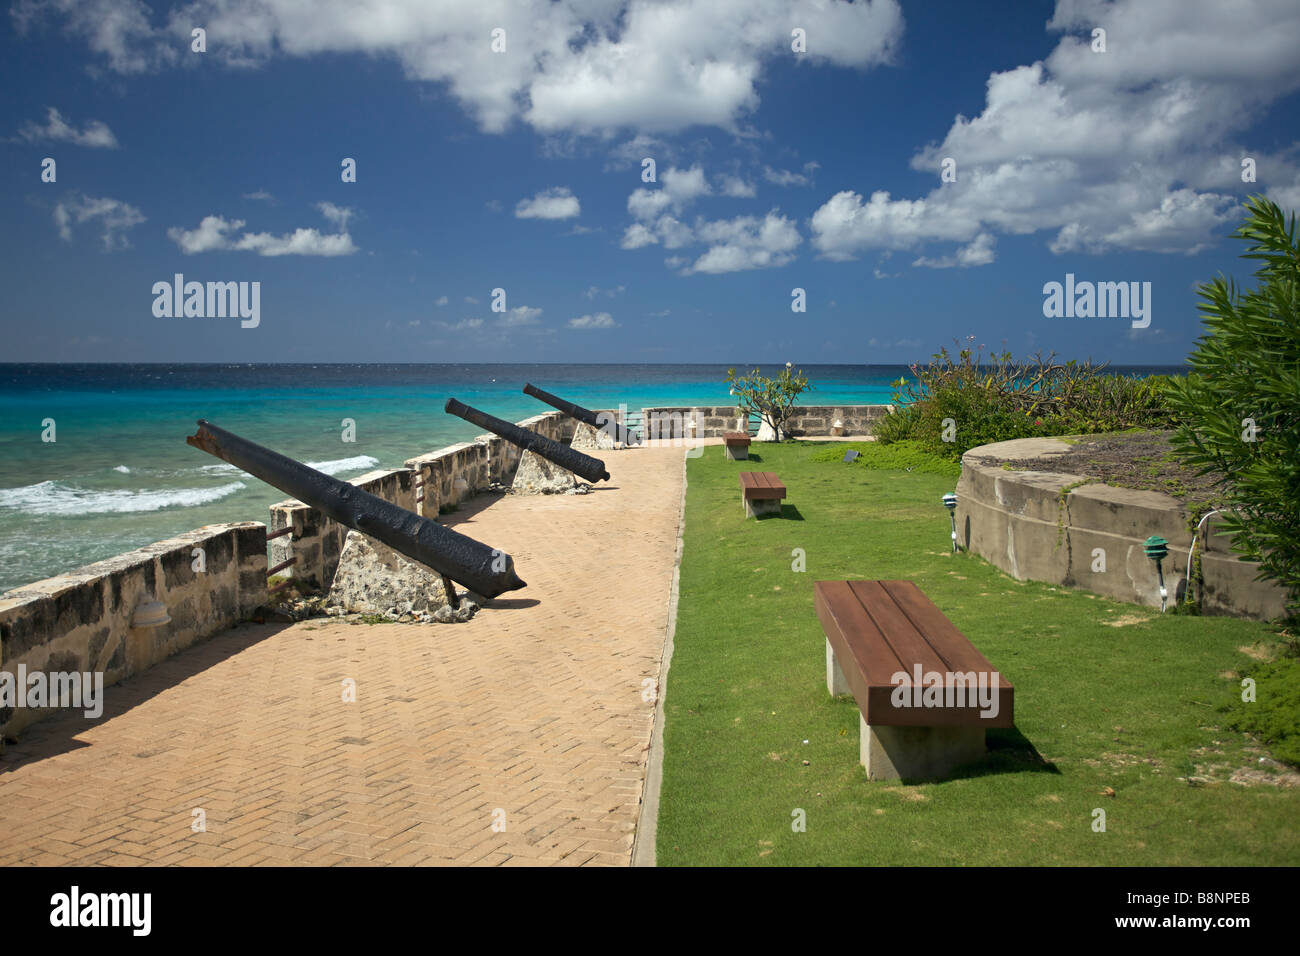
(925, 694)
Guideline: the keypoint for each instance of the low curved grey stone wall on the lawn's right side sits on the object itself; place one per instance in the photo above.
(1020, 522)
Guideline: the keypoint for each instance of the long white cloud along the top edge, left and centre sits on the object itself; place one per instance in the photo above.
(571, 67)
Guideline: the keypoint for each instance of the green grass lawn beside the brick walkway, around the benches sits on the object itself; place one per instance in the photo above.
(1117, 707)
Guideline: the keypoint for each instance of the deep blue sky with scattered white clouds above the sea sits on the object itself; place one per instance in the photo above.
(523, 171)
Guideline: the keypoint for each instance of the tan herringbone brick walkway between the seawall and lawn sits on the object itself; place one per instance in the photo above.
(534, 711)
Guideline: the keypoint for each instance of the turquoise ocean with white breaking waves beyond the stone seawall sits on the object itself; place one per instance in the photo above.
(119, 474)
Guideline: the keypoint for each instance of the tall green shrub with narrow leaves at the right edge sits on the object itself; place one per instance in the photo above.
(1240, 408)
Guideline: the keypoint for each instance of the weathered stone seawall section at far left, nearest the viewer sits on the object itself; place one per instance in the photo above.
(81, 621)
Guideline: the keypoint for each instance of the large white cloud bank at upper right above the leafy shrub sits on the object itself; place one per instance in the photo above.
(1132, 149)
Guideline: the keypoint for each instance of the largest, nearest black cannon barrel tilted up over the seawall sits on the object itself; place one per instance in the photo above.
(482, 569)
